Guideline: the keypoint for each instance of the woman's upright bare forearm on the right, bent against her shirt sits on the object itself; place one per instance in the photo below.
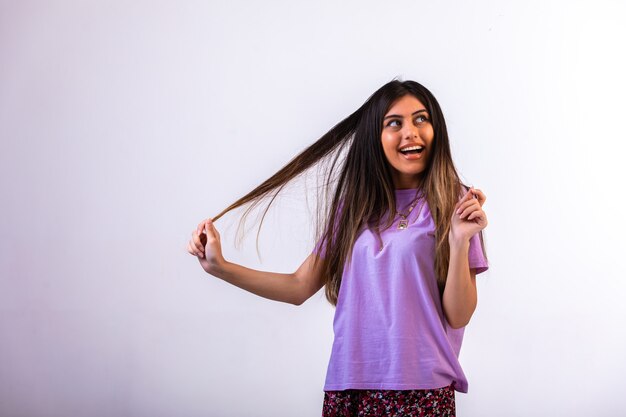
(459, 296)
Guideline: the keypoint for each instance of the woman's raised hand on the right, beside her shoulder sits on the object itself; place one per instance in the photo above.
(469, 217)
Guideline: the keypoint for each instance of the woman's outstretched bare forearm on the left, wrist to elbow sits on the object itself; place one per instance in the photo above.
(271, 285)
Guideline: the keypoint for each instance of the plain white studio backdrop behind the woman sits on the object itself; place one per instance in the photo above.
(123, 124)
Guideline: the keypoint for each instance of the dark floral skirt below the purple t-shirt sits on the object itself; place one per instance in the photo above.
(437, 402)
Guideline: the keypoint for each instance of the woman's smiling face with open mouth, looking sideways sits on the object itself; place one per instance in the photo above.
(406, 129)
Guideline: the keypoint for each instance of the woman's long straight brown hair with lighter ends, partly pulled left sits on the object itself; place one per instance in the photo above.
(358, 182)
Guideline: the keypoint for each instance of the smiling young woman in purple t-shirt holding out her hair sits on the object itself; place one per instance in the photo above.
(398, 250)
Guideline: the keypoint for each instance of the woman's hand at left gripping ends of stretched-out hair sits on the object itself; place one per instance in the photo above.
(205, 243)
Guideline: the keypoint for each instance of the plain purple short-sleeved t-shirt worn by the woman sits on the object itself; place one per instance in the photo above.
(390, 330)
